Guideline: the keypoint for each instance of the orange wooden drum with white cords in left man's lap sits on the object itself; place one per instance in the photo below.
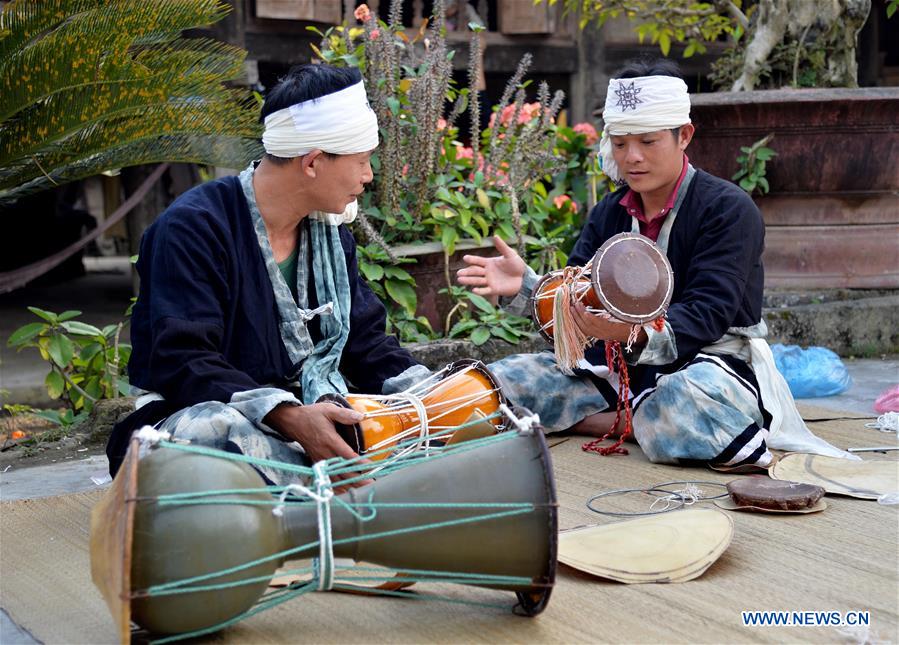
(461, 393)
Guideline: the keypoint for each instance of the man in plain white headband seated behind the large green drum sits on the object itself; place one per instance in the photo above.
(251, 304)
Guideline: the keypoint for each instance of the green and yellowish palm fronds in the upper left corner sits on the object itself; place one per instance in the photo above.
(92, 85)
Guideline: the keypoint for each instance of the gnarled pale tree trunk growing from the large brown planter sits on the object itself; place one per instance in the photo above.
(831, 24)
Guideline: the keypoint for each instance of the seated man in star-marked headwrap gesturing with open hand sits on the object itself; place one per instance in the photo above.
(704, 385)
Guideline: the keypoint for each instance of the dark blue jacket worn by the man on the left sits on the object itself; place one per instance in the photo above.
(206, 324)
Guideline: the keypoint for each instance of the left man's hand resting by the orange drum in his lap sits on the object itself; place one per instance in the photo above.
(312, 426)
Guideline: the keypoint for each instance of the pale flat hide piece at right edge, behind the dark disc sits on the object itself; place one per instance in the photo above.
(864, 479)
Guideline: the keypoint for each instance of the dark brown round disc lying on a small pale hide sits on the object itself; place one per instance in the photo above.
(773, 496)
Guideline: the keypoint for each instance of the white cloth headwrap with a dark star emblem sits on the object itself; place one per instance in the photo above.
(640, 105)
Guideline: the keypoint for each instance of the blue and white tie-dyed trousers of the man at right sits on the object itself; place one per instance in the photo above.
(709, 410)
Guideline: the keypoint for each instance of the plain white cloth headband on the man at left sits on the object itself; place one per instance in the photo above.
(341, 123)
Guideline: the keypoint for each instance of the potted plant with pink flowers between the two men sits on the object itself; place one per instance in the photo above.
(441, 188)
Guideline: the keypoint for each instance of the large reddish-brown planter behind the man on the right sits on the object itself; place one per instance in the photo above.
(832, 215)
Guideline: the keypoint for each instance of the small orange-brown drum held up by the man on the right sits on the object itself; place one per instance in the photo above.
(629, 277)
